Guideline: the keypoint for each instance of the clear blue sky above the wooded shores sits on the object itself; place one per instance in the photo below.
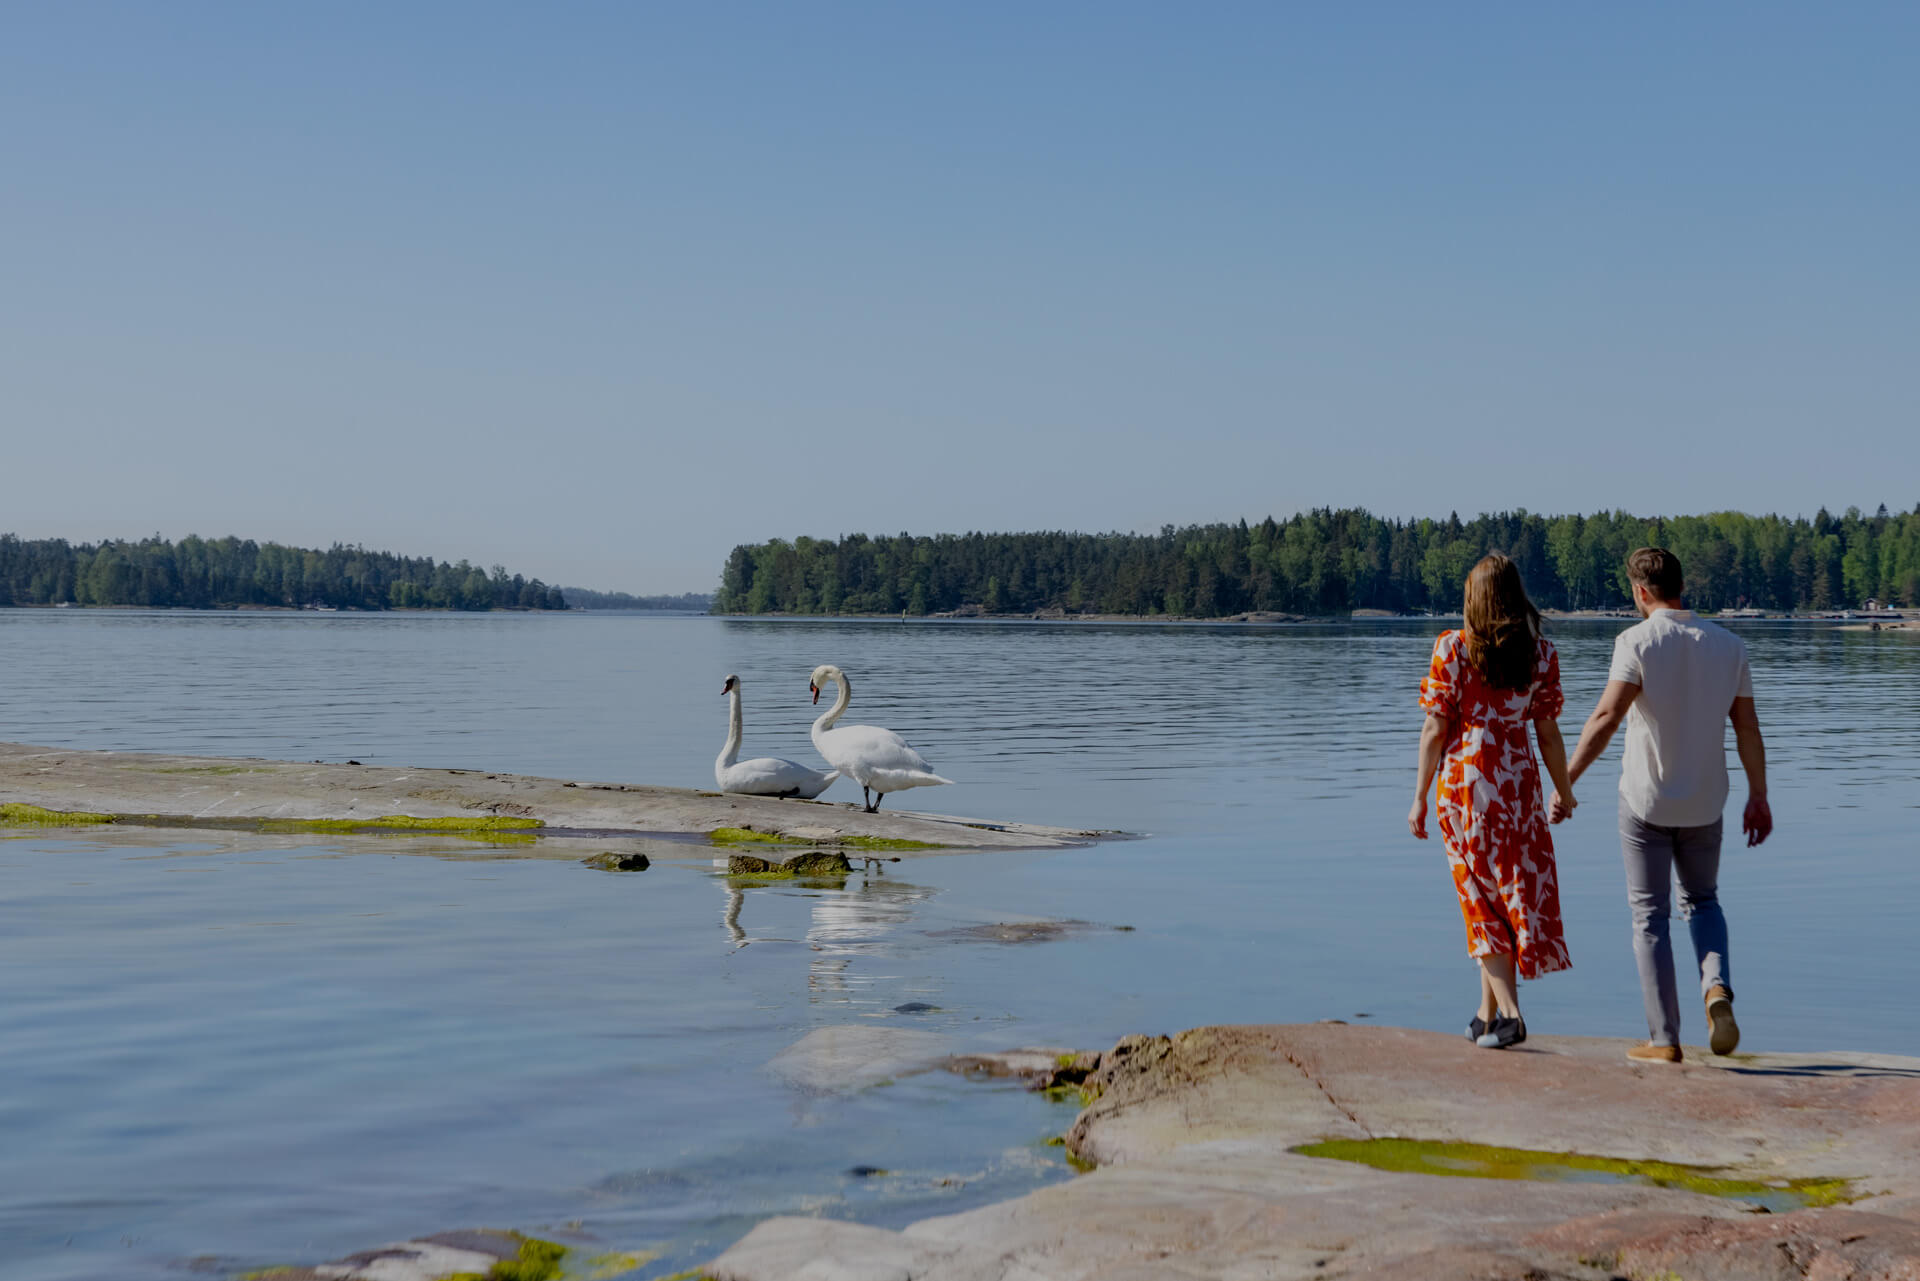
(600, 291)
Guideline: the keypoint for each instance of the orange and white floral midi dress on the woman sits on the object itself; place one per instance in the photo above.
(1491, 808)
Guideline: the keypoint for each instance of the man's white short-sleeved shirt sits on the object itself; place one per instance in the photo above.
(1689, 671)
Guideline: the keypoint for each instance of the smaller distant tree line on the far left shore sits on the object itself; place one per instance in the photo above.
(226, 573)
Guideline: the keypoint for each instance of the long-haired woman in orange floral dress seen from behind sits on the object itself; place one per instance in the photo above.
(1485, 685)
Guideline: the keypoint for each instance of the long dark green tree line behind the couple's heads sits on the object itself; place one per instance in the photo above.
(1333, 562)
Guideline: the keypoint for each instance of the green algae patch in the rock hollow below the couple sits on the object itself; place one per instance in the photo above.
(1477, 1161)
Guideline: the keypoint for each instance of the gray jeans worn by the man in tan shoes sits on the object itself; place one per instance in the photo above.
(1654, 859)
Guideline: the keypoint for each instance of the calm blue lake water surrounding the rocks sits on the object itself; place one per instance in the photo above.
(252, 1051)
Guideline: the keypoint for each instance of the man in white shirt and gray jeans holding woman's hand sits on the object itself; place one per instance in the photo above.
(1675, 683)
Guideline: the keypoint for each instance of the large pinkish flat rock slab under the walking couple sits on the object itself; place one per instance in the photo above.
(1199, 1176)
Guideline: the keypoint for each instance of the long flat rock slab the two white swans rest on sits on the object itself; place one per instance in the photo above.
(222, 790)
